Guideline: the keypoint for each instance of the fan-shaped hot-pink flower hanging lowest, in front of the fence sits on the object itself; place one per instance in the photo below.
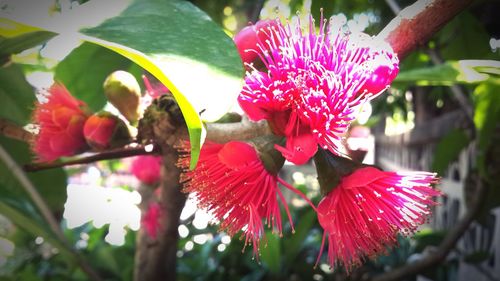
(363, 214)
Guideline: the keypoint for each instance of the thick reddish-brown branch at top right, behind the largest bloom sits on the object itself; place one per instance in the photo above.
(417, 23)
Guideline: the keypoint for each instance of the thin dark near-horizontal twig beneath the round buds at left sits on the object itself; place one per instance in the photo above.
(107, 155)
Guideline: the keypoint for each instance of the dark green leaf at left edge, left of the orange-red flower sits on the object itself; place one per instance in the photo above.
(16, 94)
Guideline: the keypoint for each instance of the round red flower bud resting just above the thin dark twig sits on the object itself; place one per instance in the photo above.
(103, 130)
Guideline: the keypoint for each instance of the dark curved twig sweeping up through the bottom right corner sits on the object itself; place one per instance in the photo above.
(446, 246)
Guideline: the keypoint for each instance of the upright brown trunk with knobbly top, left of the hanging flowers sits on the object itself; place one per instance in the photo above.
(155, 259)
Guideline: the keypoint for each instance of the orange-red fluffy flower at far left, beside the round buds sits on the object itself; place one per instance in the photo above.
(61, 121)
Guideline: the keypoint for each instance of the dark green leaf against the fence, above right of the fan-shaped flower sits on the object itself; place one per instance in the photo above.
(448, 149)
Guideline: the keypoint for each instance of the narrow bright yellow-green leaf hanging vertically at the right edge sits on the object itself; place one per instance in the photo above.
(486, 116)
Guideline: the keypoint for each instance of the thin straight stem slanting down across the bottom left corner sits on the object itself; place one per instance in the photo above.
(44, 209)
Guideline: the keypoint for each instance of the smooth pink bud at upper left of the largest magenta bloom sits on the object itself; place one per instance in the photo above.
(249, 37)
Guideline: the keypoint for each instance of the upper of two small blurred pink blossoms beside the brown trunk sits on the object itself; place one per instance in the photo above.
(146, 168)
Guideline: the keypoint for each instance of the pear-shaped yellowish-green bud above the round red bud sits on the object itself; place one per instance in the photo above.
(123, 91)
